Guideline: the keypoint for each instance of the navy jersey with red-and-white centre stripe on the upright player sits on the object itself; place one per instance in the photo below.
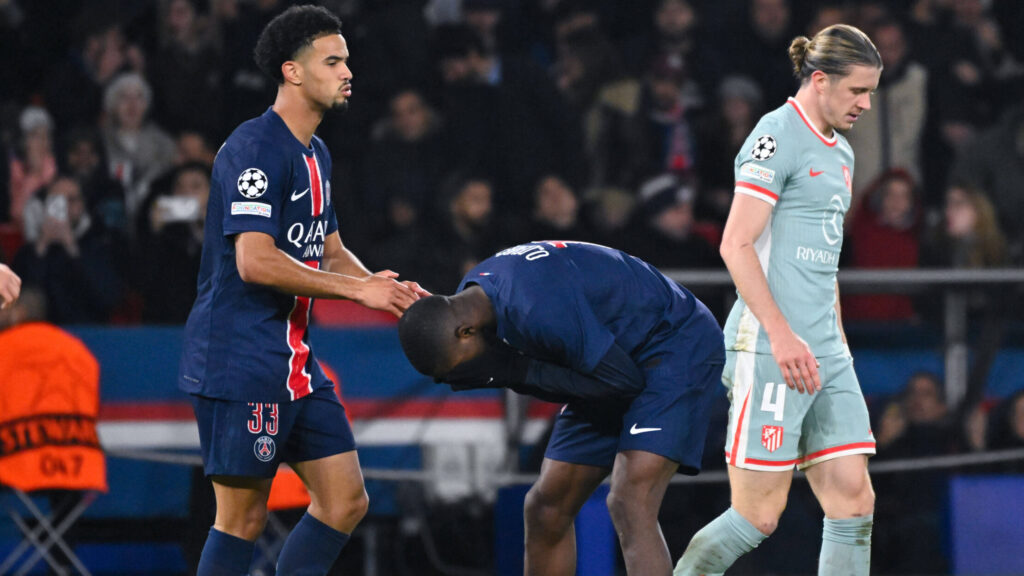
(246, 342)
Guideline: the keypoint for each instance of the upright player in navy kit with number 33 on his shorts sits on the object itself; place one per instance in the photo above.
(272, 246)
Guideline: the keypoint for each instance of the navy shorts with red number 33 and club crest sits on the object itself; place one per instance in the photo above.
(252, 438)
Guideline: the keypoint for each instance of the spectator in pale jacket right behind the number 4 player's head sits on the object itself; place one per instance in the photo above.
(890, 136)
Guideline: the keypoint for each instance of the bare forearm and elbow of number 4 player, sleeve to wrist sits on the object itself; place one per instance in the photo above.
(748, 219)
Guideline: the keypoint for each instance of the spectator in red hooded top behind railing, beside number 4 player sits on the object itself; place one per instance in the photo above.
(886, 234)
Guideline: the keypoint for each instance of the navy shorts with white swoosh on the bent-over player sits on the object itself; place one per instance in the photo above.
(669, 419)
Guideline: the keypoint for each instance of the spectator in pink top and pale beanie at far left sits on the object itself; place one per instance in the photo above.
(34, 167)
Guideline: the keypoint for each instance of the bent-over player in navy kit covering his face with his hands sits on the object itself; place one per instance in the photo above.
(635, 356)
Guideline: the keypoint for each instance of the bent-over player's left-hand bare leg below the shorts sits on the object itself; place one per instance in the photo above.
(549, 511)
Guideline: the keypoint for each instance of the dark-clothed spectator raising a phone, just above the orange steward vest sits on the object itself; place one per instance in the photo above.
(69, 259)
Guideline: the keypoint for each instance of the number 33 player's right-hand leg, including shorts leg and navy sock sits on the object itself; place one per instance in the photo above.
(322, 451)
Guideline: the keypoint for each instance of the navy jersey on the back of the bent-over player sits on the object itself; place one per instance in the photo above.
(569, 302)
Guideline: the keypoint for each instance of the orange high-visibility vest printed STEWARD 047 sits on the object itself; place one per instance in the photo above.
(50, 399)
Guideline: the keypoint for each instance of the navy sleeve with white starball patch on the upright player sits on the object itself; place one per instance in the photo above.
(253, 182)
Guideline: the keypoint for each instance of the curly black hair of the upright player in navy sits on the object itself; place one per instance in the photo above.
(288, 33)
